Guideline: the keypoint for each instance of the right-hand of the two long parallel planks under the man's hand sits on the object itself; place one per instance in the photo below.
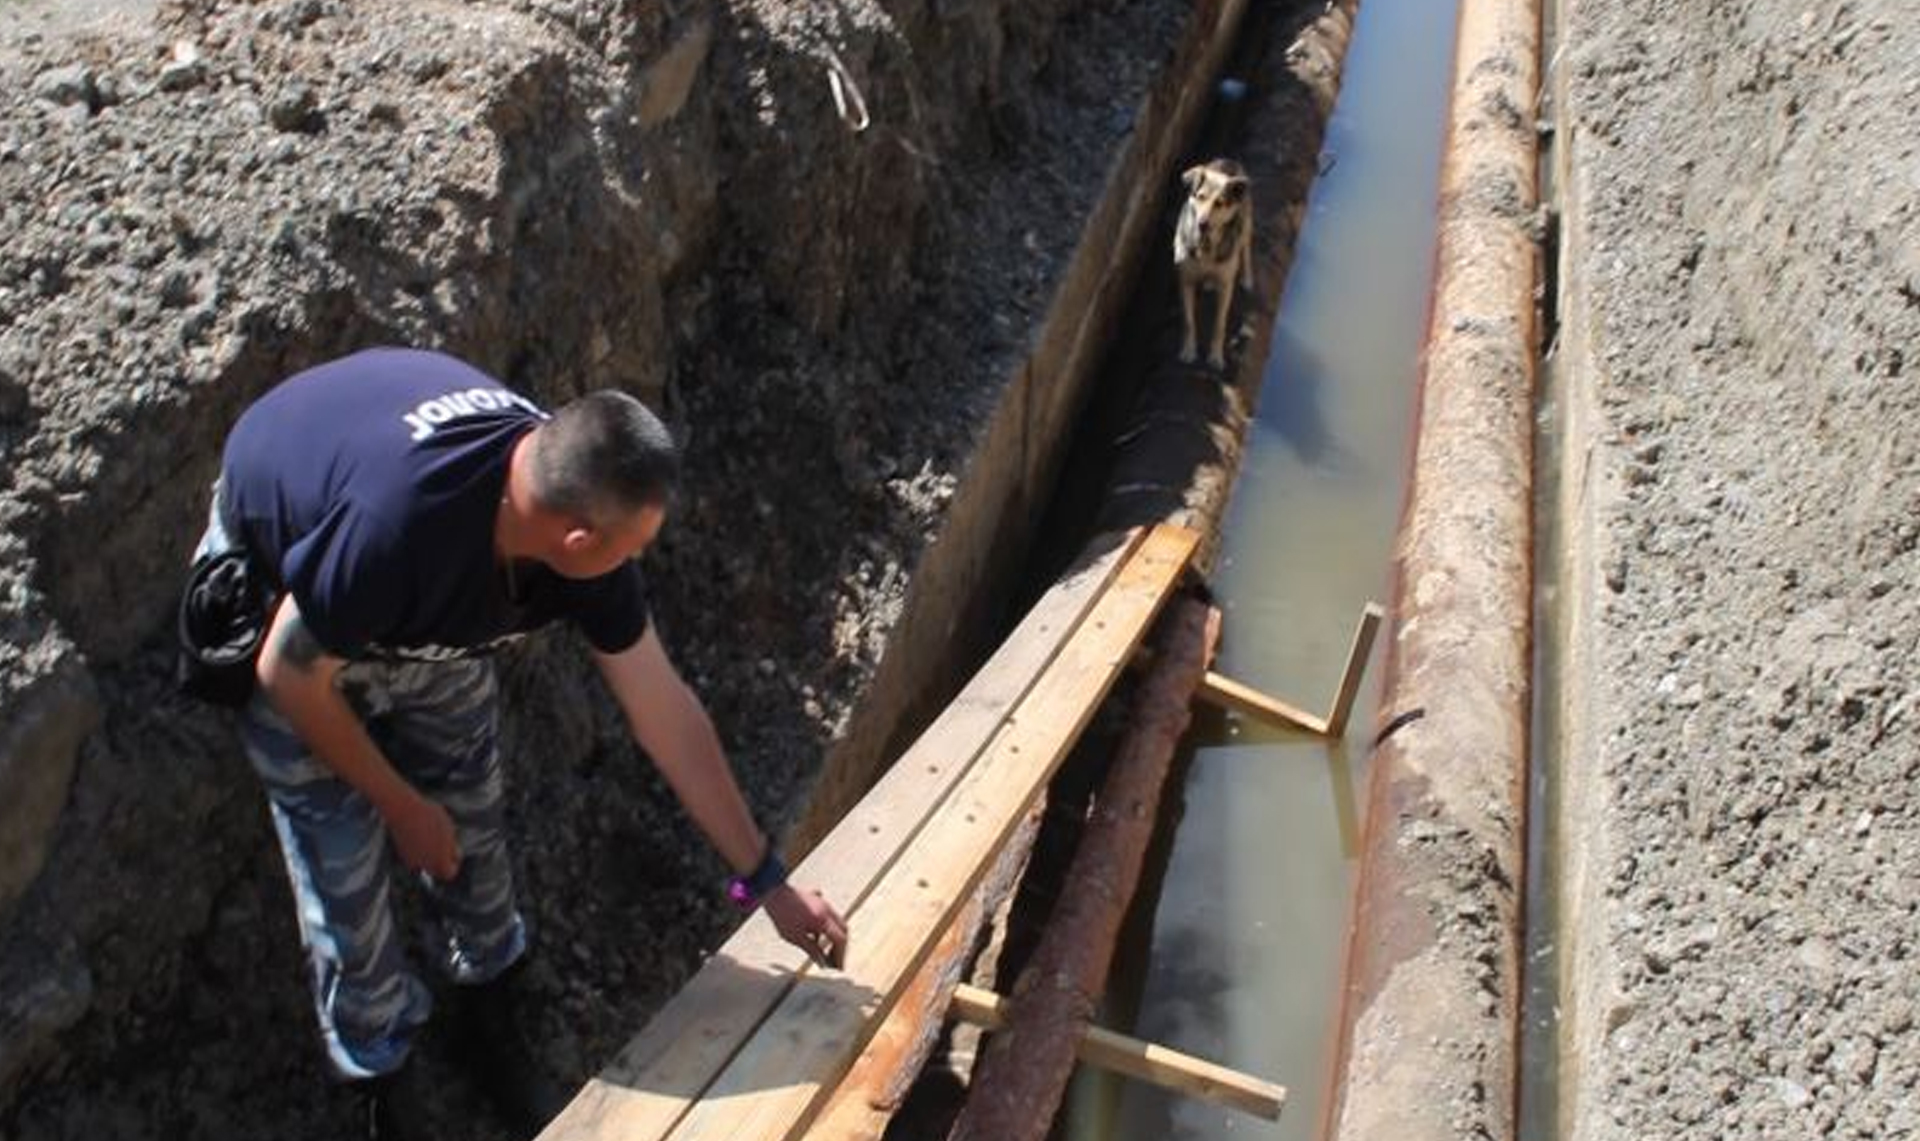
(807, 1044)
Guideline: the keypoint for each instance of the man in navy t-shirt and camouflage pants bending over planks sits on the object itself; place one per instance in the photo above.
(416, 516)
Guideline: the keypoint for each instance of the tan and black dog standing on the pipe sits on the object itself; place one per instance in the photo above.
(1214, 247)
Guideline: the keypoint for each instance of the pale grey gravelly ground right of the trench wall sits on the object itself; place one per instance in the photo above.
(1744, 224)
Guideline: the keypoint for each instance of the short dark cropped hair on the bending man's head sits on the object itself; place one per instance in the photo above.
(604, 456)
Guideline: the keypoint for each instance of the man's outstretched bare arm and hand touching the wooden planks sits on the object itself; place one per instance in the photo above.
(673, 727)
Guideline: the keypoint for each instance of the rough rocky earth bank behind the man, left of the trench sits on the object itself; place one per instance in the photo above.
(203, 199)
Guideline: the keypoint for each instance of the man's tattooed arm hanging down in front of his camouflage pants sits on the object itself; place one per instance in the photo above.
(299, 677)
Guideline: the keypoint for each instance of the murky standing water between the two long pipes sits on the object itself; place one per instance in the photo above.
(1241, 958)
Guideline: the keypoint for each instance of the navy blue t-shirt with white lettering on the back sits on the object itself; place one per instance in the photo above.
(370, 487)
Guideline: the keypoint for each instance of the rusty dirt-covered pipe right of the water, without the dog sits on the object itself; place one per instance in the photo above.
(1431, 1007)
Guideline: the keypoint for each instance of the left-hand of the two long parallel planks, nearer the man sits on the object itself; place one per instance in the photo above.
(688, 1042)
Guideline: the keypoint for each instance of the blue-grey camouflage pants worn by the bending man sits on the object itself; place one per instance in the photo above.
(437, 723)
